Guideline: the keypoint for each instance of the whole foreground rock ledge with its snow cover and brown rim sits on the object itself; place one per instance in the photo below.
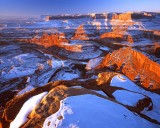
(52, 106)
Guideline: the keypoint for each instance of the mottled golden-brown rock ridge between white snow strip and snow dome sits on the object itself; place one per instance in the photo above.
(51, 103)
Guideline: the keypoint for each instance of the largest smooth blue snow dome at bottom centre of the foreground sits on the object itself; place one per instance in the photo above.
(90, 111)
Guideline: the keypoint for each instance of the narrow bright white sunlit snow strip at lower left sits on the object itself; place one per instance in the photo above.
(27, 107)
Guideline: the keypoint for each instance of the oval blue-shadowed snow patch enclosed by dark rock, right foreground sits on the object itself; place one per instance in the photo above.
(127, 97)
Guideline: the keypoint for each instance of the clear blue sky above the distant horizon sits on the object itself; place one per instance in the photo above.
(40, 7)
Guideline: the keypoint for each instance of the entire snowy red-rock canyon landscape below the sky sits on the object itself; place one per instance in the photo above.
(56, 70)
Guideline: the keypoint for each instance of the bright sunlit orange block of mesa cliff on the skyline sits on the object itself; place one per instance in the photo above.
(122, 16)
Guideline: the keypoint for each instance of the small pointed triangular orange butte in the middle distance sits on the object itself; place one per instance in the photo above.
(80, 34)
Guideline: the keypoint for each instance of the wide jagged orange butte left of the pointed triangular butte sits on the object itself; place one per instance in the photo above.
(49, 40)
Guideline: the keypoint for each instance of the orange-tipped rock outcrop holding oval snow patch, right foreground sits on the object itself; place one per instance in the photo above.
(104, 82)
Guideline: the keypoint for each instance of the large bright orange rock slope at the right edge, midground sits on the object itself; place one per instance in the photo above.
(134, 64)
